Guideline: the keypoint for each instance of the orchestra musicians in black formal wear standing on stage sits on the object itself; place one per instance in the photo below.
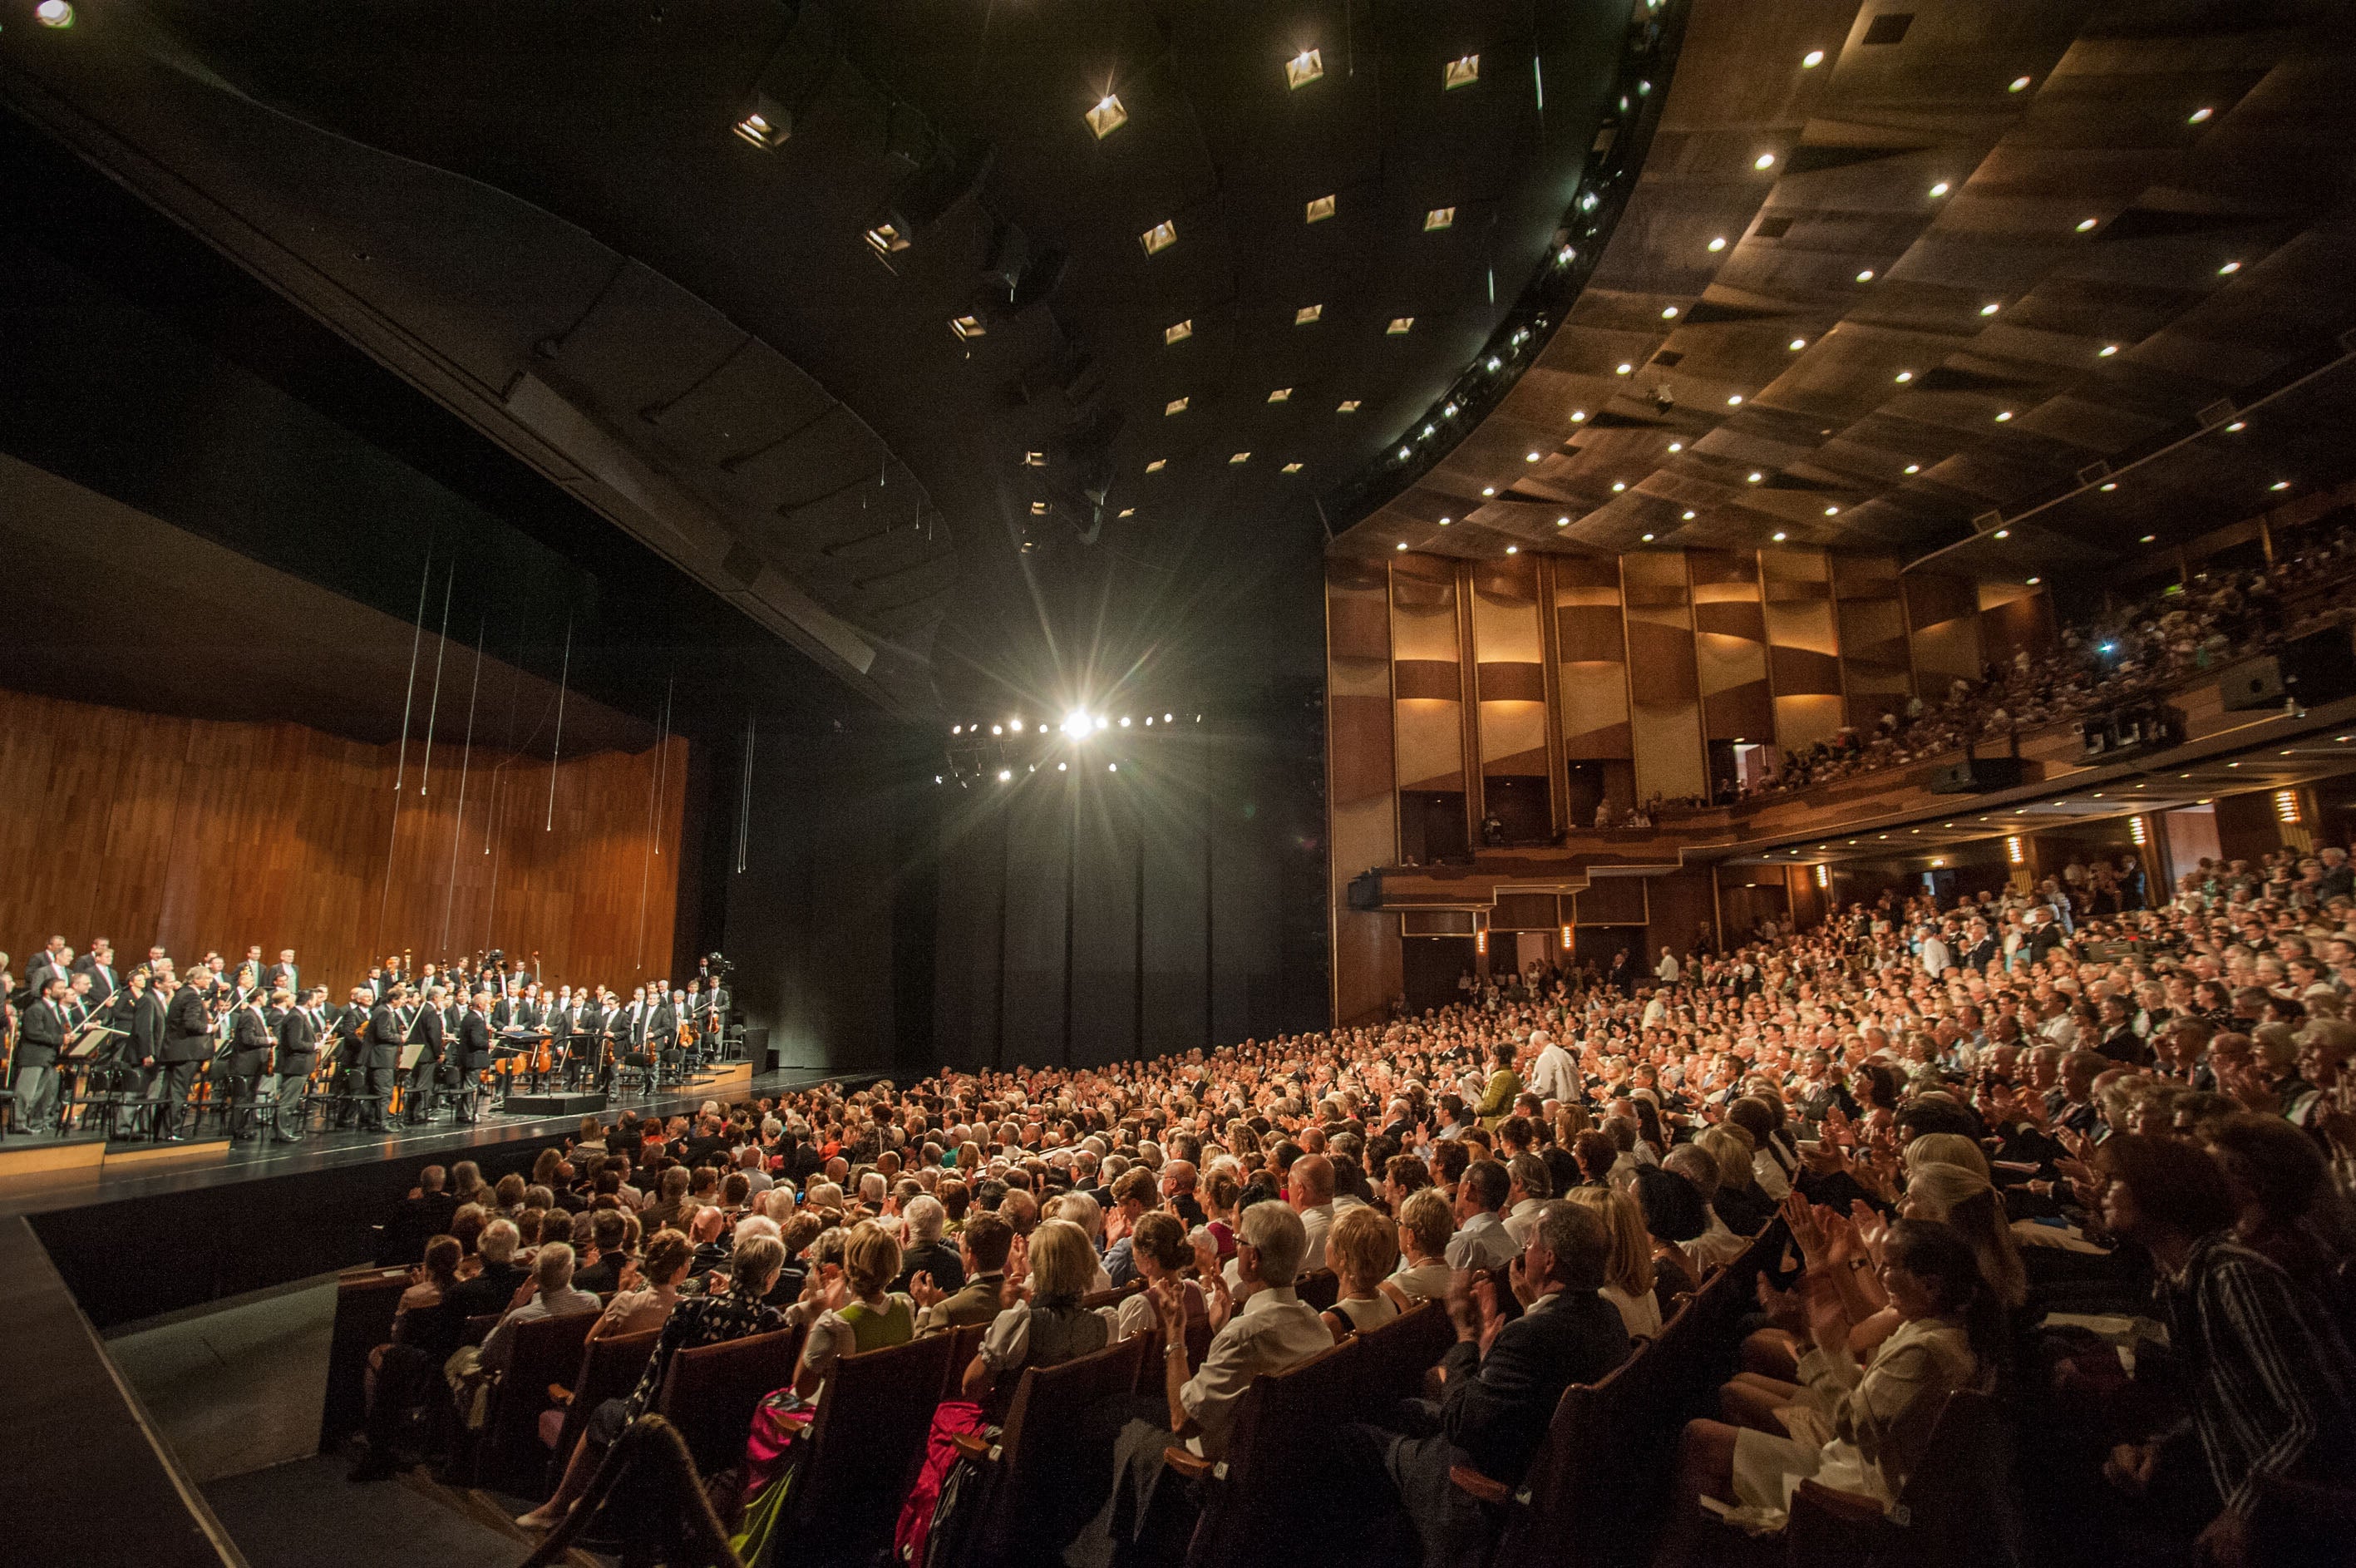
(147, 1053)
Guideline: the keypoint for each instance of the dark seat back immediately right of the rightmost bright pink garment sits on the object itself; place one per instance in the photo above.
(1052, 1454)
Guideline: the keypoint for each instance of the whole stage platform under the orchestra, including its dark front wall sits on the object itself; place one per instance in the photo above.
(147, 1237)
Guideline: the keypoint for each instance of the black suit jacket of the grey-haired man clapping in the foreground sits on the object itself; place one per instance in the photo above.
(1497, 1406)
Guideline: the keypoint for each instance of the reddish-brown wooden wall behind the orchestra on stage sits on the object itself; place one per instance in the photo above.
(199, 834)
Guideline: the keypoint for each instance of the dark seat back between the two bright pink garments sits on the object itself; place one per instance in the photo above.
(866, 1444)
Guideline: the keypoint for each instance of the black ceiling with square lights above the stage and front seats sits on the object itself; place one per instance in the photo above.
(541, 216)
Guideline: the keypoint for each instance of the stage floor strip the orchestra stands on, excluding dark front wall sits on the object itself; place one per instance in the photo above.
(79, 1187)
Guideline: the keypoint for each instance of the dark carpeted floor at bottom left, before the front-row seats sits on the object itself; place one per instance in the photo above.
(307, 1513)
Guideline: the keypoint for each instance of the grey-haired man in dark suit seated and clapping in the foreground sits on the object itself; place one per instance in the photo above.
(1504, 1378)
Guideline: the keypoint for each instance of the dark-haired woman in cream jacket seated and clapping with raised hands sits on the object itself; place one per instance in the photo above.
(1869, 1421)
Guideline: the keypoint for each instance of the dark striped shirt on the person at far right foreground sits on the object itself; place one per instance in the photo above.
(2272, 1383)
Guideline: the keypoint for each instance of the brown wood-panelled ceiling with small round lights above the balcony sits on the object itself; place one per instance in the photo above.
(2013, 284)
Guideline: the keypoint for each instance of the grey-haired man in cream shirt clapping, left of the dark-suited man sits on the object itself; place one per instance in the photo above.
(1262, 1329)
